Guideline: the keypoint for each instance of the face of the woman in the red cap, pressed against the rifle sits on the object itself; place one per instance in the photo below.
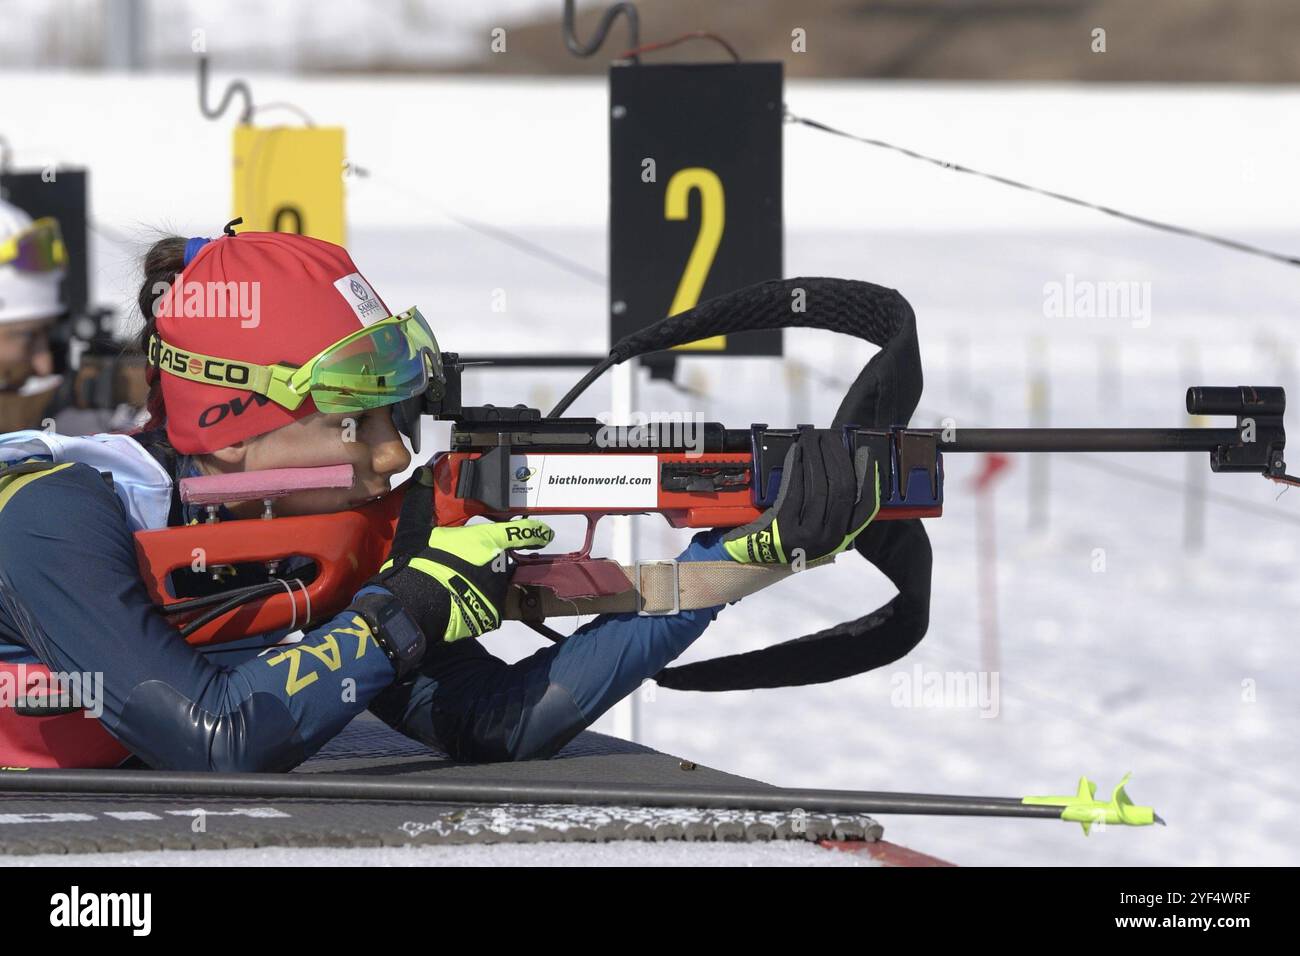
(369, 442)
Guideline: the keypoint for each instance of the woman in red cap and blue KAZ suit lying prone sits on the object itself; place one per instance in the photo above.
(71, 589)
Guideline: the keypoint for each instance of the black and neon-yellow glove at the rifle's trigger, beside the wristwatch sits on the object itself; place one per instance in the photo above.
(453, 581)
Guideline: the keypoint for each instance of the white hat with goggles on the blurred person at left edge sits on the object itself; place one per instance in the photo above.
(32, 267)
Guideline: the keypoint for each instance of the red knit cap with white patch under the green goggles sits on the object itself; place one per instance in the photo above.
(292, 297)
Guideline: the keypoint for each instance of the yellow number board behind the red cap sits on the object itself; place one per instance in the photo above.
(291, 180)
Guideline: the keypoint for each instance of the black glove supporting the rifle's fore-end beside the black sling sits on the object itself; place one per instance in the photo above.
(826, 500)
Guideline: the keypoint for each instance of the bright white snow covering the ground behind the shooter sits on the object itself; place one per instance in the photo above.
(1121, 650)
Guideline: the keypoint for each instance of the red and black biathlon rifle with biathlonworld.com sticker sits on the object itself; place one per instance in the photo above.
(508, 462)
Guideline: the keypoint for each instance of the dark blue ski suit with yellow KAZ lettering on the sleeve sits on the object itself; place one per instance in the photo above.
(72, 599)
